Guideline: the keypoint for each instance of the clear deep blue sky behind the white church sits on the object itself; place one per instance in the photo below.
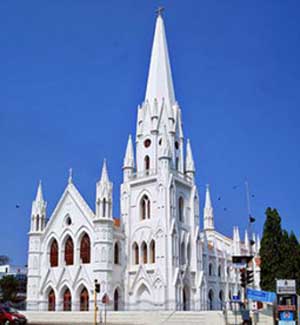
(73, 72)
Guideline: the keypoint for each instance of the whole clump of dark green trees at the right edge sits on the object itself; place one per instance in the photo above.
(279, 252)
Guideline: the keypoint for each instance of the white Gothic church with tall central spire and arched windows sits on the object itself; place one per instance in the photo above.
(154, 256)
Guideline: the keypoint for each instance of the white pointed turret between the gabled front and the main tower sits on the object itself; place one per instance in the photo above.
(104, 195)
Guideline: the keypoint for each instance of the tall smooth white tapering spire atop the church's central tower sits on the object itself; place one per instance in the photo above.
(160, 83)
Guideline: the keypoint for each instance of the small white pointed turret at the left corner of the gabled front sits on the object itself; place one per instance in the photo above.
(38, 211)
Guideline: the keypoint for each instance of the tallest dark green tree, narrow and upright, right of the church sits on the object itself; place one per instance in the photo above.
(271, 251)
